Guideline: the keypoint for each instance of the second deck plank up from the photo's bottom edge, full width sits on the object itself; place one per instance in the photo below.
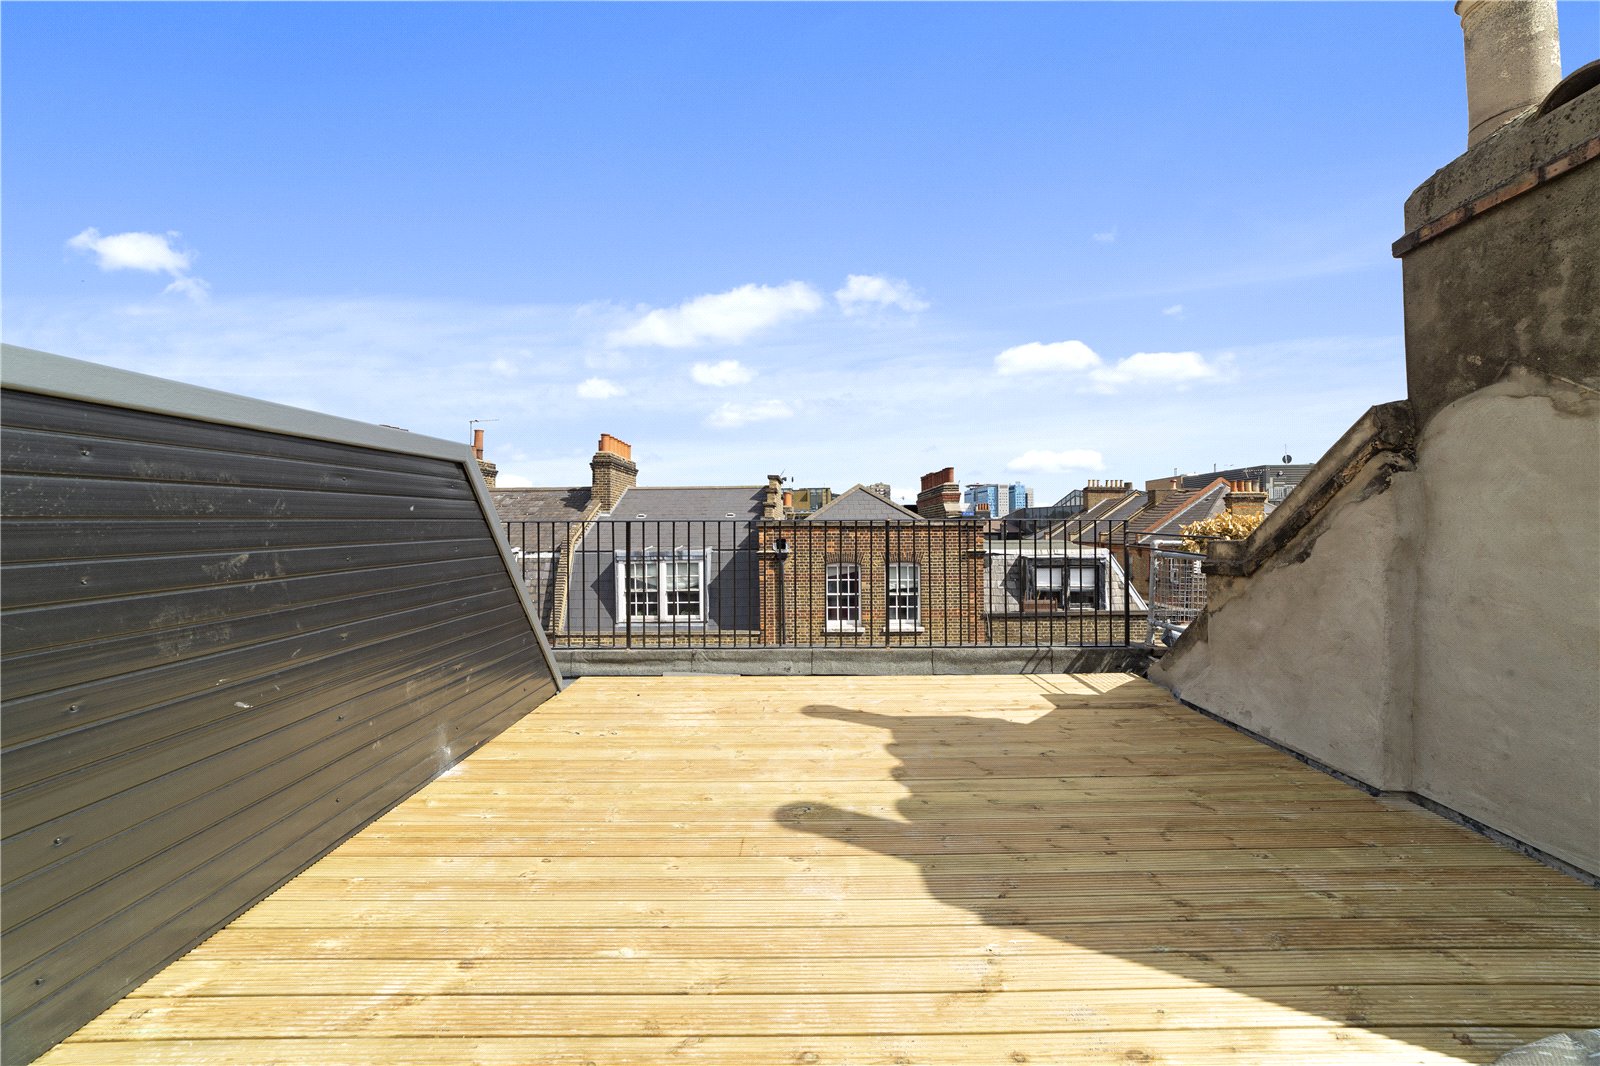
(625, 1014)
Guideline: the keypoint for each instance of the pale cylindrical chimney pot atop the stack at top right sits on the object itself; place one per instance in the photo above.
(1514, 60)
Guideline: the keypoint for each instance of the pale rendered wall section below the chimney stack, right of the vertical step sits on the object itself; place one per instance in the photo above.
(1508, 614)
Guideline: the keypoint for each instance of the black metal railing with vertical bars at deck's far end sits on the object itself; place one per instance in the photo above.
(727, 583)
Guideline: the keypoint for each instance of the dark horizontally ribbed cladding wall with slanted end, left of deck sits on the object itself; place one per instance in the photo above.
(226, 647)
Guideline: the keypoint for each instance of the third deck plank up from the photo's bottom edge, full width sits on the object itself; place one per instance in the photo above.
(1063, 971)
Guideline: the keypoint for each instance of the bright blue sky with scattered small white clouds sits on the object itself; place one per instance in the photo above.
(849, 242)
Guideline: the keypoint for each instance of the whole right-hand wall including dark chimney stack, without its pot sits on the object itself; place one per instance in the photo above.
(1425, 611)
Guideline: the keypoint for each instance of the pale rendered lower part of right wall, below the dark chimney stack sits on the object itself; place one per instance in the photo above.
(1436, 630)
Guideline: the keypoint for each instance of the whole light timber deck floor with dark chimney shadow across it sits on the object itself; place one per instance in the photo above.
(882, 870)
